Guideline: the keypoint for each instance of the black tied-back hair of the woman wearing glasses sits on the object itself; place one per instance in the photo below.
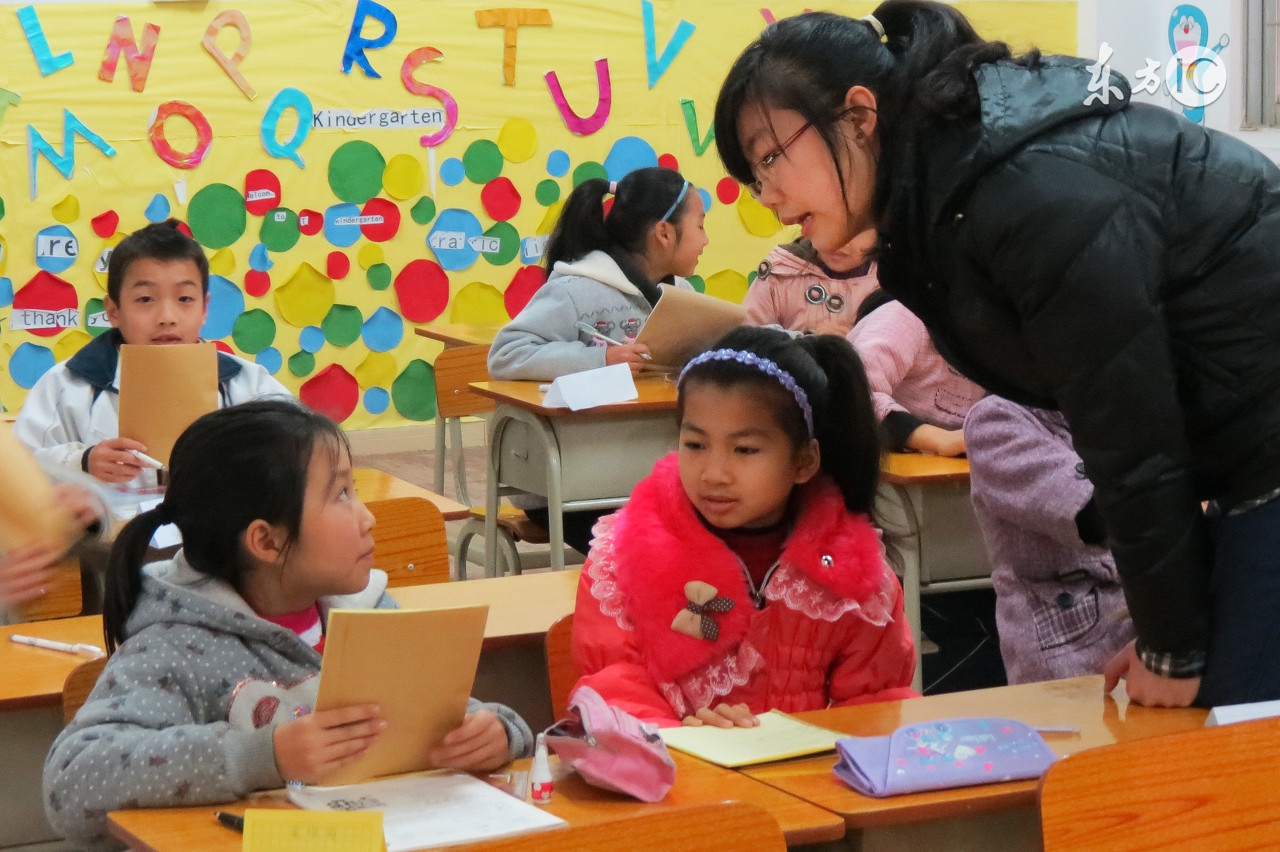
(922, 72)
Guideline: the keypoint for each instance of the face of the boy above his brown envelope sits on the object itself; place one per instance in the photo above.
(162, 303)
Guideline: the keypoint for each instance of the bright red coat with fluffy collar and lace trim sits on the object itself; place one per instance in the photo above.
(831, 631)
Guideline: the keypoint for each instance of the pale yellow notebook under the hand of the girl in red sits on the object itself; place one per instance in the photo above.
(778, 738)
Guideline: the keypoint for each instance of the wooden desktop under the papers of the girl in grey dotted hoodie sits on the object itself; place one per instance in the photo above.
(193, 830)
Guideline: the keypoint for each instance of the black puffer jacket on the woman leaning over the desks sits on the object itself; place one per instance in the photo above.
(1123, 265)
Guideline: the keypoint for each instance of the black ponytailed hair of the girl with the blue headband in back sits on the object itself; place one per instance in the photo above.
(642, 200)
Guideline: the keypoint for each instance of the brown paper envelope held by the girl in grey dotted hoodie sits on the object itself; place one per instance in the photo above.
(417, 665)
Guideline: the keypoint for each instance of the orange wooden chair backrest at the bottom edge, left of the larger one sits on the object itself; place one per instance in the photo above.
(707, 828)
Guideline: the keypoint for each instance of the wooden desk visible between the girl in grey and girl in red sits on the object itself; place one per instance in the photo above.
(513, 668)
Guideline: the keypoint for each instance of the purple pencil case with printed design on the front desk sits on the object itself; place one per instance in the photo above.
(941, 755)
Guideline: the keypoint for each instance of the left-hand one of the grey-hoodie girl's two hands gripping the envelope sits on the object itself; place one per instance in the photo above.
(313, 748)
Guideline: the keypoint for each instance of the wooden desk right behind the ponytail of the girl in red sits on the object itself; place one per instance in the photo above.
(924, 502)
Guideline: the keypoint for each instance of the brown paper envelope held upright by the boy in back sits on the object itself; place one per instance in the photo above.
(163, 391)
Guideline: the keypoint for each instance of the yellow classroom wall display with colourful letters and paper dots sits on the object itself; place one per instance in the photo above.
(355, 168)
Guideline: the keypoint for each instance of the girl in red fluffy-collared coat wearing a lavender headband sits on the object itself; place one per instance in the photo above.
(746, 574)
